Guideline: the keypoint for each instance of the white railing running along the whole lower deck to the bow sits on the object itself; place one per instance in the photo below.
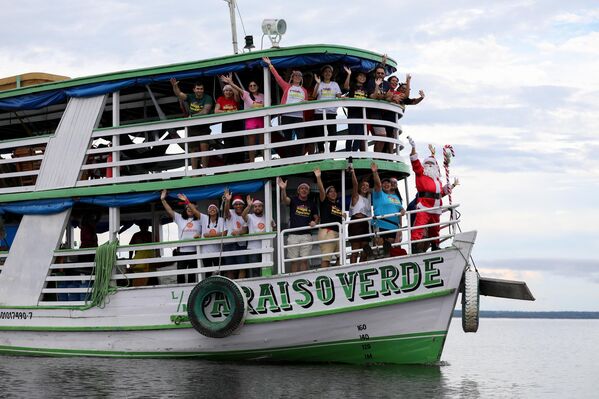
(70, 276)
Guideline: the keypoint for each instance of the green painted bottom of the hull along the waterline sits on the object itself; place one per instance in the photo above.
(403, 349)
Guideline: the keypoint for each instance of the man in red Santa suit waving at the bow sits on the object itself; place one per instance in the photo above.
(430, 191)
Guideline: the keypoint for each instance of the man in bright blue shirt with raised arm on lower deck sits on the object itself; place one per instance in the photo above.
(385, 201)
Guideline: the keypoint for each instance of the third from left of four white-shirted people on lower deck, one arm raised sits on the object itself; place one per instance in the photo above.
(235, 226)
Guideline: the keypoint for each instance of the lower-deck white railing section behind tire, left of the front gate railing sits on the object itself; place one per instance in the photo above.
(69, 276)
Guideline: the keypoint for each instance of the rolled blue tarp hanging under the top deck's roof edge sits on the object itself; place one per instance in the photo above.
(46, 98)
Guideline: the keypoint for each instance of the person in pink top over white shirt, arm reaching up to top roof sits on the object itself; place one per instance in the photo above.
(293, 93)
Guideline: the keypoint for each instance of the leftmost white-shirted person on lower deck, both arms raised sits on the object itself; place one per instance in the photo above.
(189, 228)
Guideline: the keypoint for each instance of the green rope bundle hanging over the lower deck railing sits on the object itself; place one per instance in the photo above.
(103, 266)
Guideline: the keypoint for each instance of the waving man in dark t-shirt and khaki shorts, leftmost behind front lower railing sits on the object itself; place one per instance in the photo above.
(302, 213)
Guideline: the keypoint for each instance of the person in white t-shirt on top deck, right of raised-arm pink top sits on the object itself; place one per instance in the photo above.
(326, 89)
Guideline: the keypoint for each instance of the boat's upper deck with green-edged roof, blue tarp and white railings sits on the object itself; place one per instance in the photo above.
(127, 131)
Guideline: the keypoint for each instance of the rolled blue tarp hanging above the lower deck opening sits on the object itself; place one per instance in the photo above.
(50, 206)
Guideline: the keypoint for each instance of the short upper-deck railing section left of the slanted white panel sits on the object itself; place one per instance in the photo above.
(20, 162)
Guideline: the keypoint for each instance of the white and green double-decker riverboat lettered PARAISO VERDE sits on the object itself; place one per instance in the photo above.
(107, 145)
